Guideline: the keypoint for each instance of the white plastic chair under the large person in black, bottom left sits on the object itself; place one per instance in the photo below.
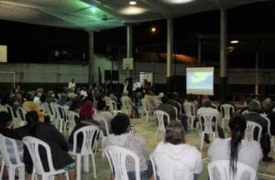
(34, 146)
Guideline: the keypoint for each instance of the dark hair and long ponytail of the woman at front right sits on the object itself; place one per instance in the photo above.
(237, 126)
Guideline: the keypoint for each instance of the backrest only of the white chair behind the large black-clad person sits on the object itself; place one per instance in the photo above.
(35, 146)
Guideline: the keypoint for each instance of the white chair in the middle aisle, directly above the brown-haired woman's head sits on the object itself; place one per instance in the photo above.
(160, 115)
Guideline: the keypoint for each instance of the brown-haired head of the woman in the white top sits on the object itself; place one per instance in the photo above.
(175, 133)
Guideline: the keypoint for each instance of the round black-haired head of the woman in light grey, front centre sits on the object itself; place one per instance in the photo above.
(120, 124)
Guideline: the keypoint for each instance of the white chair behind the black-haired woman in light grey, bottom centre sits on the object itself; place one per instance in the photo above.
(118, 157)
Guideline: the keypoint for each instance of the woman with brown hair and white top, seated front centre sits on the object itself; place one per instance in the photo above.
(179, 151)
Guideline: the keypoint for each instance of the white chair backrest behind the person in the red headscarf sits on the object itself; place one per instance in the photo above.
(89, 133)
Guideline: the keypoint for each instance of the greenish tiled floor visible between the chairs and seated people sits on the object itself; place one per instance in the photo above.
(147, 130)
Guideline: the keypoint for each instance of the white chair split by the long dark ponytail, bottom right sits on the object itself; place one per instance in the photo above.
(219, 170)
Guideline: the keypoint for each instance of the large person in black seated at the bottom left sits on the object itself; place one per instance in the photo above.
(45, 132)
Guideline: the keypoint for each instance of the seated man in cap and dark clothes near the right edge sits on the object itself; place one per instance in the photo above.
(253, 115)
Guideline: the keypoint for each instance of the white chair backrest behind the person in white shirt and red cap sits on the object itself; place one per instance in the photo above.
(208, 123)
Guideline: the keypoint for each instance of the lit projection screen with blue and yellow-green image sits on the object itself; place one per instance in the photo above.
(200, 81)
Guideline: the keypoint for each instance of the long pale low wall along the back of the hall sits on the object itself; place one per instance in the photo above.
(59, 73)
